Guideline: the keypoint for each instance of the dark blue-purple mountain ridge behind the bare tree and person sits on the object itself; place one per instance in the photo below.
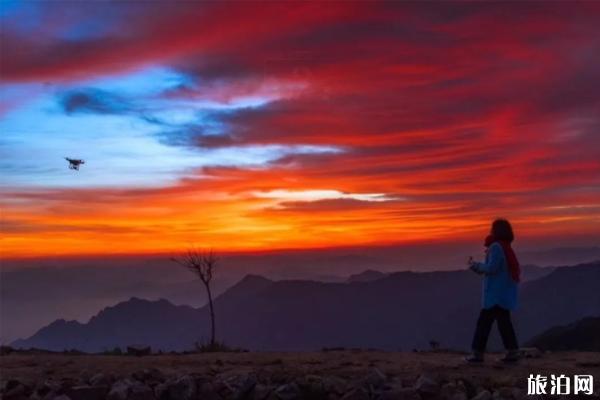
(401, 310)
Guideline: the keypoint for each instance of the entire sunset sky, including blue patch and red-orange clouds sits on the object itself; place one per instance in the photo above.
(247, 126)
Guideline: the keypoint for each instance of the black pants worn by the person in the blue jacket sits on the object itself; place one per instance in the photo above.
(484, 326)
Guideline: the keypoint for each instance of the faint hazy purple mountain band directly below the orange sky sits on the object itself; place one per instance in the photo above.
(76, 288)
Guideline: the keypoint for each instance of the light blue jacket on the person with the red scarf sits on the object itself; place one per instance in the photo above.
(498, 286)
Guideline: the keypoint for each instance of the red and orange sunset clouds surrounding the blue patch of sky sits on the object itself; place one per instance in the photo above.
(466, 110)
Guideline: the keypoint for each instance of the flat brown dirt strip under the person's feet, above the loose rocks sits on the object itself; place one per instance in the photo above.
(347, 364)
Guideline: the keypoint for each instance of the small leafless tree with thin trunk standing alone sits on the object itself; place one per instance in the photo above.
(203, 265)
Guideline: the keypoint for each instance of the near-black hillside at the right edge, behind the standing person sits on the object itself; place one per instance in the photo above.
(582, 335)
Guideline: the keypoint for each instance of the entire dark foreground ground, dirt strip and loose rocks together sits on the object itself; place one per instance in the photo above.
(343, 374)
